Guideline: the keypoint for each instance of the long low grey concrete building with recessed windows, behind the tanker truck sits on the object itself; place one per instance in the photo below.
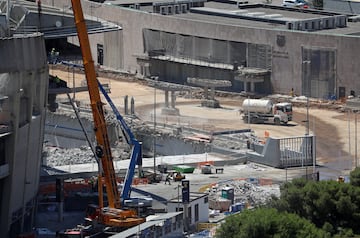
(314, 57)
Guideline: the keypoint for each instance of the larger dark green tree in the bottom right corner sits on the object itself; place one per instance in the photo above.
(330, 205)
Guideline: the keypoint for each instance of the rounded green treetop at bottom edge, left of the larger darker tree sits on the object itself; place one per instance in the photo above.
(268, 222)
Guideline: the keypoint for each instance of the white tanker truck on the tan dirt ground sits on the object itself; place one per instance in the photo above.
(264, 110)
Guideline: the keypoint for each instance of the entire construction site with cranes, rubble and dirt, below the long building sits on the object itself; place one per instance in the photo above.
(88, 150)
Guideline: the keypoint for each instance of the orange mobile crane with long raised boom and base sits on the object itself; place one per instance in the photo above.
(111, 216)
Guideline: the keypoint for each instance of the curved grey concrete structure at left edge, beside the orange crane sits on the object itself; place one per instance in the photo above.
(24, 80)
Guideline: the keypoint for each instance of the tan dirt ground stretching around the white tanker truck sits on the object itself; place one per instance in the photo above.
(335, 130)
